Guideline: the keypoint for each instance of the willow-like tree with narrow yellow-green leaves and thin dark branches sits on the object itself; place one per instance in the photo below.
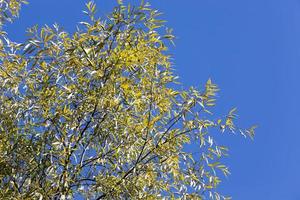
(96, 113)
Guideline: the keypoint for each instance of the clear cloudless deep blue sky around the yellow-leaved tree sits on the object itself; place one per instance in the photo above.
(251, 49)
